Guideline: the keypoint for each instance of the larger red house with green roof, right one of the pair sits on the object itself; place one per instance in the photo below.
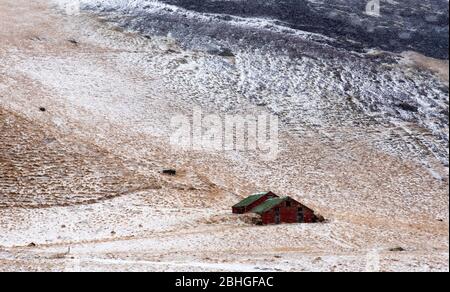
(284, 210)
